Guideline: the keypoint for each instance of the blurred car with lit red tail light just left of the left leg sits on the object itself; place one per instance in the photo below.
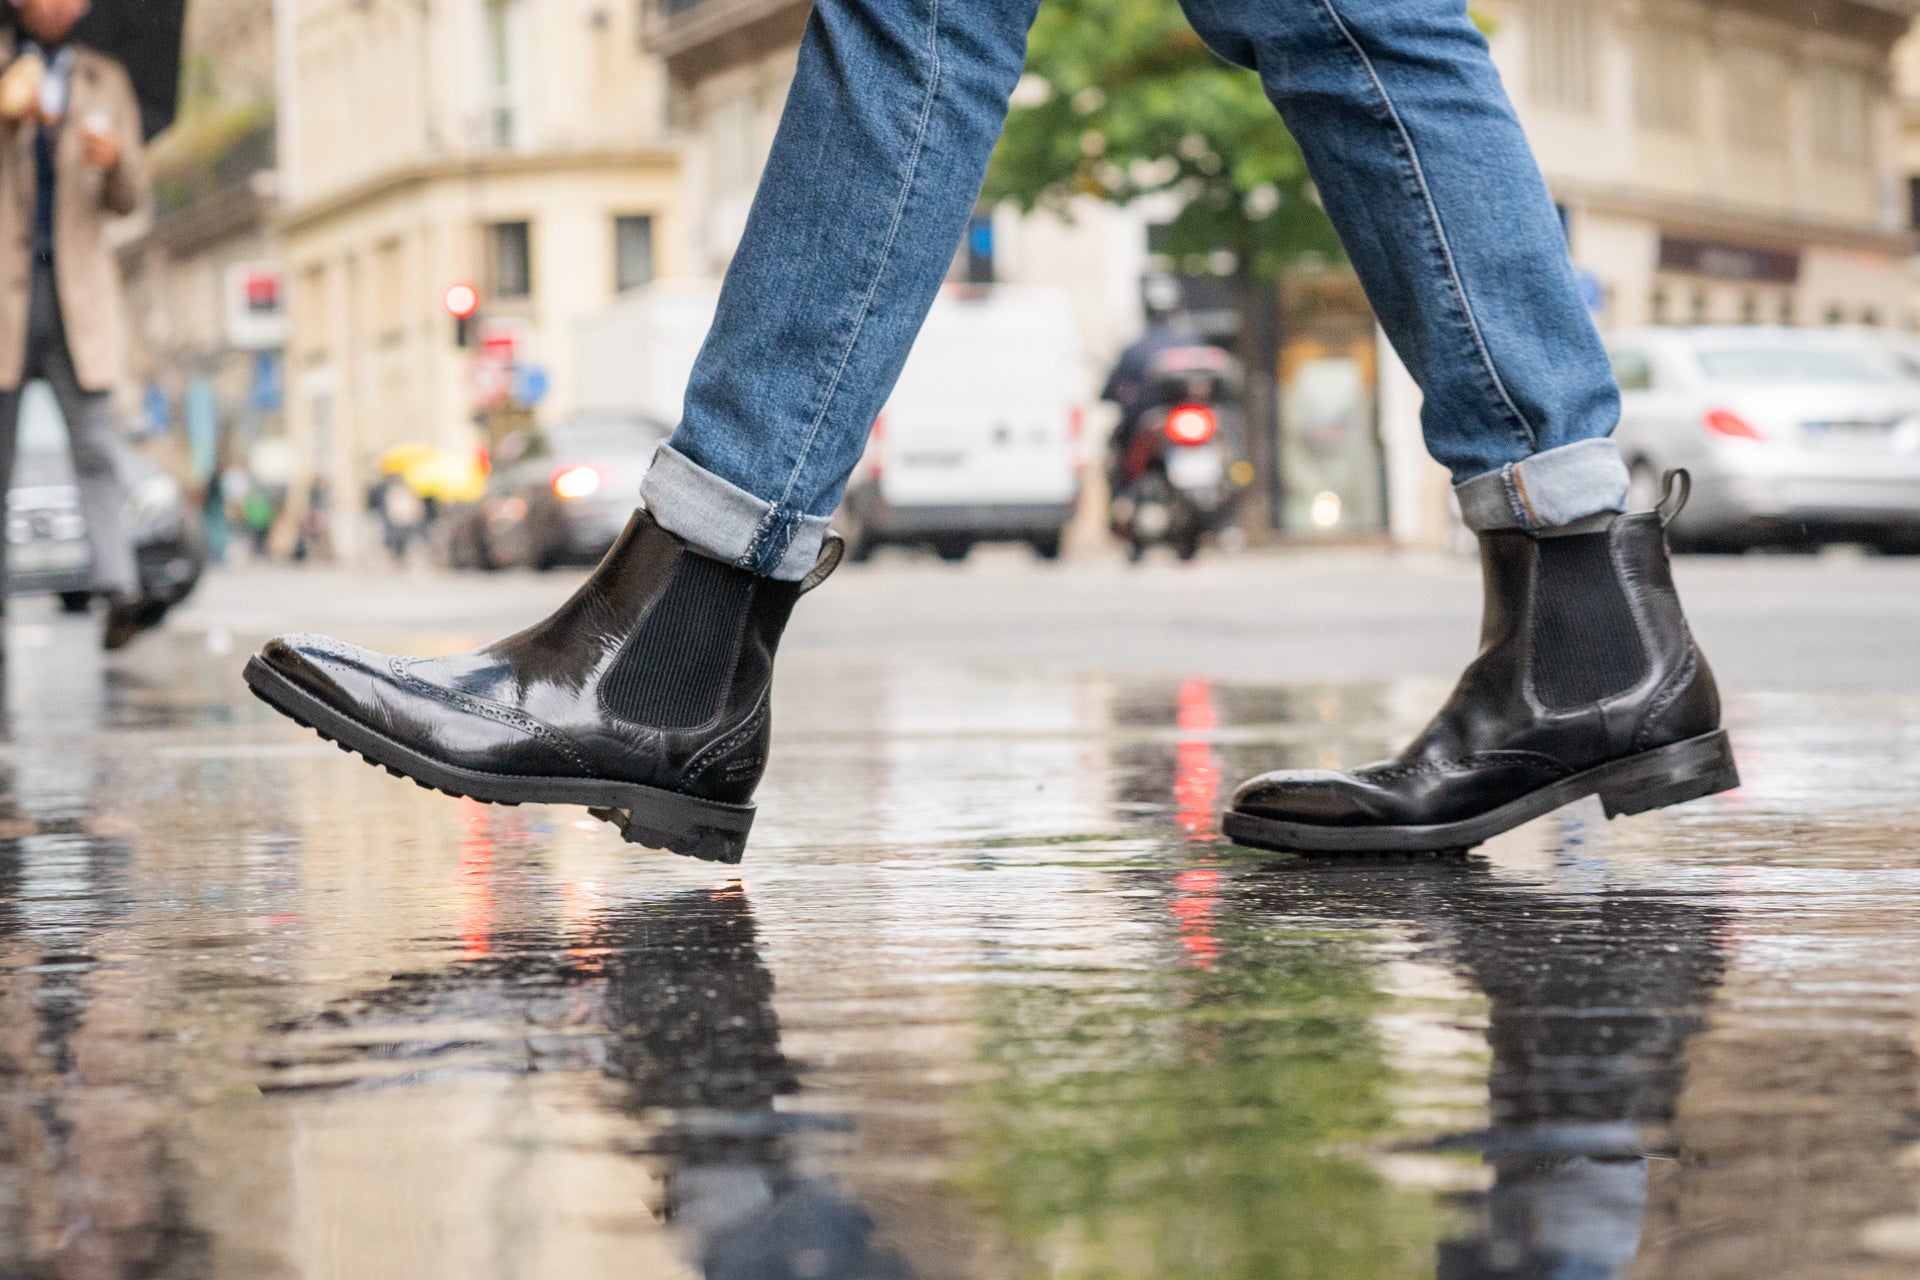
(558, 494)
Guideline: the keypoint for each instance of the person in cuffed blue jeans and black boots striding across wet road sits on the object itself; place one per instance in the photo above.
(646, 696)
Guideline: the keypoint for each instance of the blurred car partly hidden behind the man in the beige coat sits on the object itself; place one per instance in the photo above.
(47, 534)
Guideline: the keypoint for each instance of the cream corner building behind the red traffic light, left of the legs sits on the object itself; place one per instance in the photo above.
(512, 145)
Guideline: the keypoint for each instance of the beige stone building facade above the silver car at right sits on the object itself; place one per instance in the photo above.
(1723, 162)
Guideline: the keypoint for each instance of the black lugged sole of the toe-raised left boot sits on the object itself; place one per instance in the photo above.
(650, 817)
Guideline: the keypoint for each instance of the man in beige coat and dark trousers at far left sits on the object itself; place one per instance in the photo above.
(70, 160)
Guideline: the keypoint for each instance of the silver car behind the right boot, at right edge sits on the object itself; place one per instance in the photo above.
(1792, 437)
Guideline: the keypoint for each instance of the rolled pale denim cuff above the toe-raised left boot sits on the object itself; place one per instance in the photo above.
(723, 521)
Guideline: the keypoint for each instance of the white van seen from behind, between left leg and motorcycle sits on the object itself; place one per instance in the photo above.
(982, 440)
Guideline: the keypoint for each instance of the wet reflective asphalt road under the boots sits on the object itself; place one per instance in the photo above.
(990, 999)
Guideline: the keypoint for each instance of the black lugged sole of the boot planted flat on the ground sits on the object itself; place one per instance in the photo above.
(1700, 767)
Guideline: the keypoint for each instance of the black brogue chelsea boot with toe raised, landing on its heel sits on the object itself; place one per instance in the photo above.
(644, 698)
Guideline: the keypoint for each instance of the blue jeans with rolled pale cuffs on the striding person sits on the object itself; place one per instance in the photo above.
(880, 158)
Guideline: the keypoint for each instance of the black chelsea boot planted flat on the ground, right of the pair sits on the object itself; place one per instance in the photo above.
(1587, 684)
